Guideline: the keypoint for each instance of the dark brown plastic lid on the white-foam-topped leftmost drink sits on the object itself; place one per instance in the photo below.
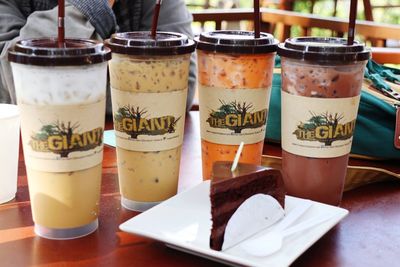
(45, 52)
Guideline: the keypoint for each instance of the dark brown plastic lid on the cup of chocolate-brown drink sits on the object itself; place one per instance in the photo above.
(323, 50)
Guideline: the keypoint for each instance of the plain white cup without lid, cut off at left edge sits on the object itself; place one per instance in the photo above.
(9, 143)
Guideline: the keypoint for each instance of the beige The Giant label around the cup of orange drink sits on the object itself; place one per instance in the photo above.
(230, 116)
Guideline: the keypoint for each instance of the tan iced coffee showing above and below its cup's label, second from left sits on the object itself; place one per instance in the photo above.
(150, 176)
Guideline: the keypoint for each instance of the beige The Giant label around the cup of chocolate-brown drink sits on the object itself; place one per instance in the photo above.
(318, 127)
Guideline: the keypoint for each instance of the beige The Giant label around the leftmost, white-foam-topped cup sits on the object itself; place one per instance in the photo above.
(63, 138)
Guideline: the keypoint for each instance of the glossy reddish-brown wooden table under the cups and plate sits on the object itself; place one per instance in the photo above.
(368, 236)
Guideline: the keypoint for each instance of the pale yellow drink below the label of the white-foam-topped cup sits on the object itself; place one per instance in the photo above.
(65, 200)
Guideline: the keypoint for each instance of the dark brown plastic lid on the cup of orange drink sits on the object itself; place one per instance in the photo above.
(236, 42)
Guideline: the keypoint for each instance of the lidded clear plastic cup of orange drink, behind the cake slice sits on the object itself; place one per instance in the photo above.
(235, 77)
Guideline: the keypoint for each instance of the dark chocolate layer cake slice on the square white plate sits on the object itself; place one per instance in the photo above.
(229, 190)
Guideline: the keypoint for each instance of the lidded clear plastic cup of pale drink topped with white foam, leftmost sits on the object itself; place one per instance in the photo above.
(61, 95)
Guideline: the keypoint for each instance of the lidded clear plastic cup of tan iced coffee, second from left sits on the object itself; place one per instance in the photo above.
(149, 83)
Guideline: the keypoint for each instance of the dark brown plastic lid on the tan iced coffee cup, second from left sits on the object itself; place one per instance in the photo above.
(141, 43)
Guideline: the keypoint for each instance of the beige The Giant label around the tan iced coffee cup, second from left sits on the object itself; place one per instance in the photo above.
(149, 121)
